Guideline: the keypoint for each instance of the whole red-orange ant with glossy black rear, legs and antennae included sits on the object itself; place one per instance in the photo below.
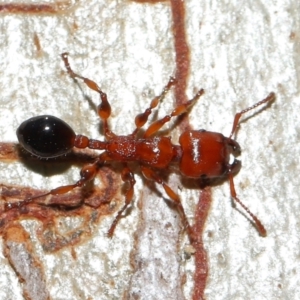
(201, 154)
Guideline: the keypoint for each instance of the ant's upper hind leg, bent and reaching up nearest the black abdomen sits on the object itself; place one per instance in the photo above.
(104, 109)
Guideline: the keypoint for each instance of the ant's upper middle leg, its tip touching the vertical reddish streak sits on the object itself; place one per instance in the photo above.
(142, 118)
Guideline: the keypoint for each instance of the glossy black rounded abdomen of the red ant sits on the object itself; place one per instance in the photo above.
(46, 136)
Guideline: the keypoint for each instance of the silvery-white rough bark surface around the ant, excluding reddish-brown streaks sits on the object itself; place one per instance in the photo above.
(240, 52)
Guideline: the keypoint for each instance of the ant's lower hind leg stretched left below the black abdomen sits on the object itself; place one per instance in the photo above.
(87, 173)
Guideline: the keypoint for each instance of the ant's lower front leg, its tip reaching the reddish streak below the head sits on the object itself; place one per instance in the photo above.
(151, 175)
